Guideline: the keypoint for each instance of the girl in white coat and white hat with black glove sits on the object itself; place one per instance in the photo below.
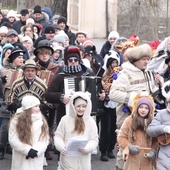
(28, 136)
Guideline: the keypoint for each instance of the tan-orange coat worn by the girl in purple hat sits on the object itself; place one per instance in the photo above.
(138, 161)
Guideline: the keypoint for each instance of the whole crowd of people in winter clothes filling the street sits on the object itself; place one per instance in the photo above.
(55, 87)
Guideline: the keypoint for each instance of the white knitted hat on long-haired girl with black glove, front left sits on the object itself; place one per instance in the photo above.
(29, 102)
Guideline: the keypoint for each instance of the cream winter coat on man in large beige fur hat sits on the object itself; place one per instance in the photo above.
(130, 81)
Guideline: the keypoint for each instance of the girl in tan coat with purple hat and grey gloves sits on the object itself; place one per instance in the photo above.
(138, 148)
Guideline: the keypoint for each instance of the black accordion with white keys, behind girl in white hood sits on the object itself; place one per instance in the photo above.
(92, 84)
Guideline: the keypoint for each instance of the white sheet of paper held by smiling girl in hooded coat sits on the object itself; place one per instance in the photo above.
(74, 143)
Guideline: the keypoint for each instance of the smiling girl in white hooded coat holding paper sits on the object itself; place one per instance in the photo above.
(77, 123)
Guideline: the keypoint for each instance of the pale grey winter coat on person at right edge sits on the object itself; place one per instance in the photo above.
(155, 129)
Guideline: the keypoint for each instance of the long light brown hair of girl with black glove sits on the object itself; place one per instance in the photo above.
(23, 127)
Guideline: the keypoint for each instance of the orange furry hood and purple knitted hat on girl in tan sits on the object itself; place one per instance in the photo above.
(143, 98)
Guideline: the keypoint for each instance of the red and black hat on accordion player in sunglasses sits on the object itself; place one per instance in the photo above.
(71, 51)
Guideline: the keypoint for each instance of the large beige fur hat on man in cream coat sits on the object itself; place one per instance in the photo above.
(136, 53)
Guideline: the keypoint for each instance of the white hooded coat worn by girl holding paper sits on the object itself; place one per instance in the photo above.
(64, 133)
